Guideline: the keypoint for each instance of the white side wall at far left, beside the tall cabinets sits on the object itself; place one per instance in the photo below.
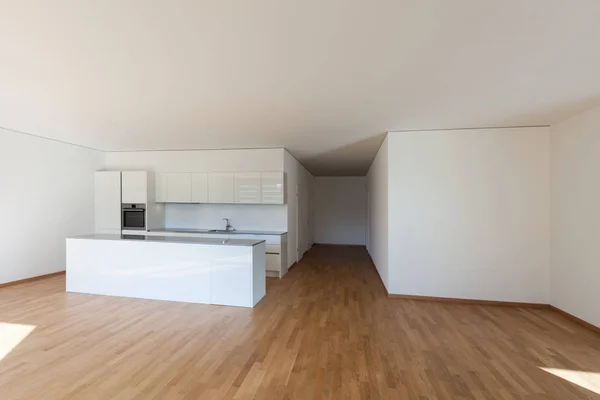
(47, 195)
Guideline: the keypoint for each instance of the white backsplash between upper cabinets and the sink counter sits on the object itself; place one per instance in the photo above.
(242, 217)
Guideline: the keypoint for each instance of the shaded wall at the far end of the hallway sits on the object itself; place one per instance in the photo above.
(340, 210)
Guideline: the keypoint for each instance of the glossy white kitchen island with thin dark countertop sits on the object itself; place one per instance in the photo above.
(196, 270)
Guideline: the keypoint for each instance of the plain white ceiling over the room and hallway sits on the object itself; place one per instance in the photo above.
(323, 78)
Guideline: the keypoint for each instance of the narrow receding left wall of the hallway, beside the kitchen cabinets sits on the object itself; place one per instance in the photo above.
(299, 208)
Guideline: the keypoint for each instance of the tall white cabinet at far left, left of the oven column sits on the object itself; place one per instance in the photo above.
(107, 202)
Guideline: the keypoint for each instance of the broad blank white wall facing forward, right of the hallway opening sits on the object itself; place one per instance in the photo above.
(469, 214)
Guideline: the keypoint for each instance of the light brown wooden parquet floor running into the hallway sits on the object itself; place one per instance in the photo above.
(326, 331)
